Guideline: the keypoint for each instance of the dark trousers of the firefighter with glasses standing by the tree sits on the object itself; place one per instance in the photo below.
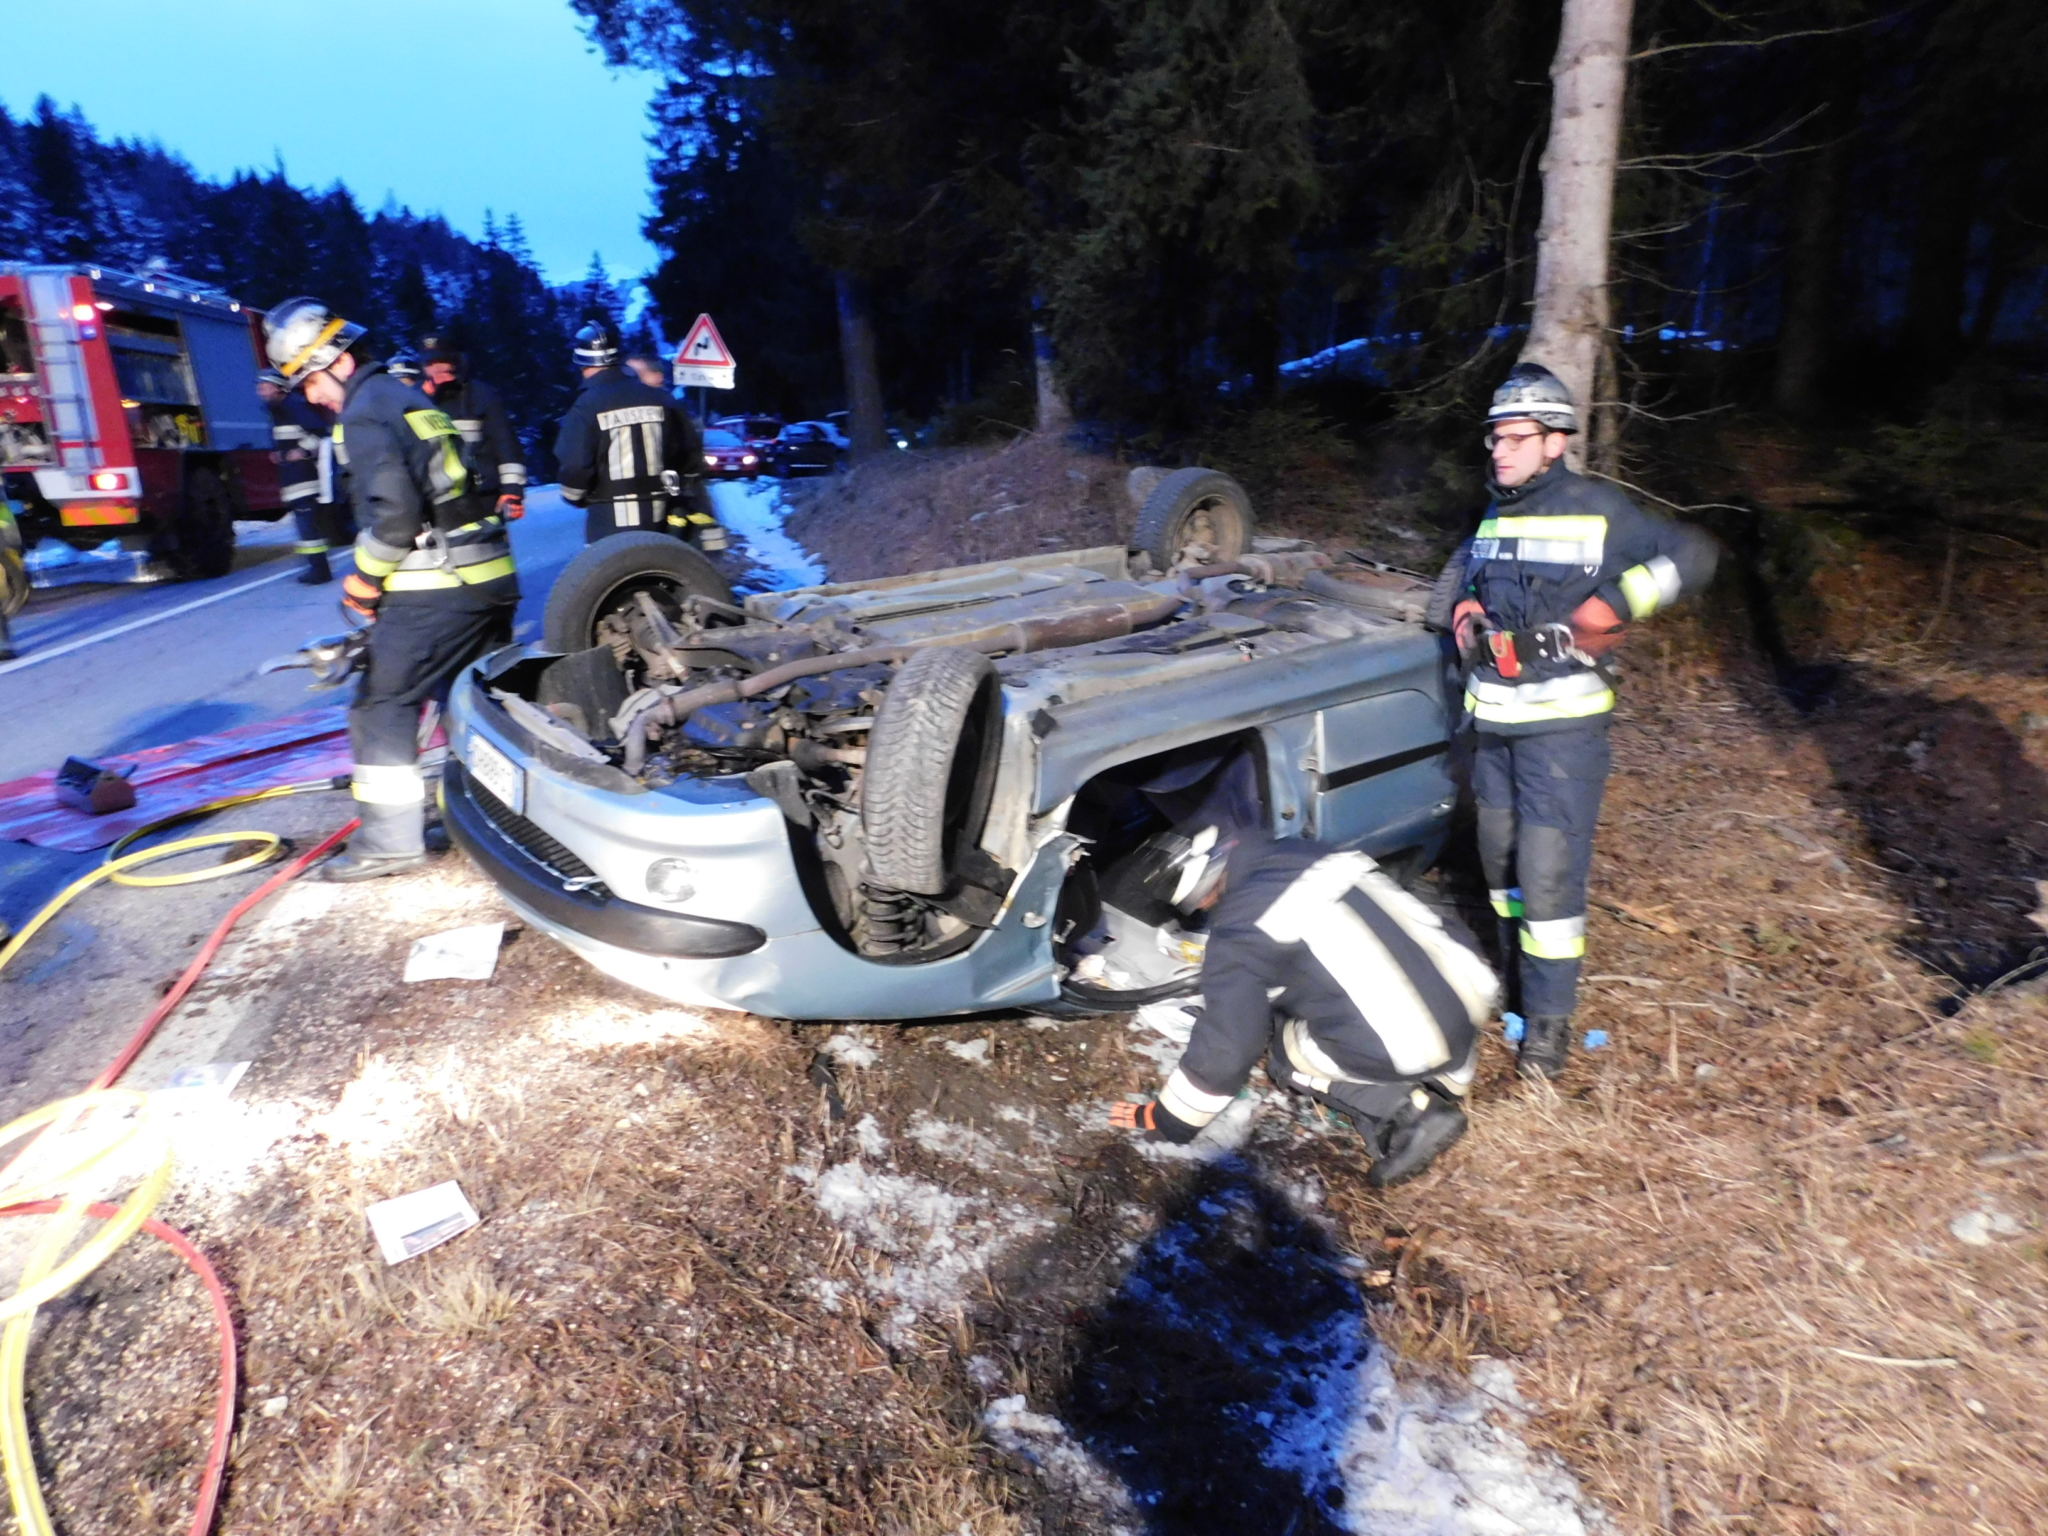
(1539, 802)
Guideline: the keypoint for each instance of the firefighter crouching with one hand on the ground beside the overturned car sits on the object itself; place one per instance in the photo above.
(1361, 996)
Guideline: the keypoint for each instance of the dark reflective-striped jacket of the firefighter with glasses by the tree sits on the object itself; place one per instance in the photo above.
(1541, 552)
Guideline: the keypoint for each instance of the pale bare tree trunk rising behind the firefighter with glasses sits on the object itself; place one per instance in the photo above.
(1590, 79)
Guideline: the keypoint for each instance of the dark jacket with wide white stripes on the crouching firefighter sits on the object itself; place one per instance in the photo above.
(1365, 978)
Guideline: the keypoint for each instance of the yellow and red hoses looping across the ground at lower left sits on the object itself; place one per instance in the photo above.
(26, 1189)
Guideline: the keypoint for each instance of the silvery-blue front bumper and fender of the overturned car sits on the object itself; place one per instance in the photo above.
(572, 861)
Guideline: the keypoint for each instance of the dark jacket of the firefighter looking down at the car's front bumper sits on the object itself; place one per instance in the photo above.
(423, 527)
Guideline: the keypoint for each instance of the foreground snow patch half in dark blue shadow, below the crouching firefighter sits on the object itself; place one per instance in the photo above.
(1244, 1326)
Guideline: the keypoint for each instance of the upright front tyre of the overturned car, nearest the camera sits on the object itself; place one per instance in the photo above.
(925, 796)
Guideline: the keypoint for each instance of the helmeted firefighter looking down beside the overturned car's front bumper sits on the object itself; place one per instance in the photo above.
(435, 572)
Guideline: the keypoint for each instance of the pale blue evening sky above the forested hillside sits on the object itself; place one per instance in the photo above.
(454, 105)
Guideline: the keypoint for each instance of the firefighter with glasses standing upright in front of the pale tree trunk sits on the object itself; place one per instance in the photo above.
(1545, 593)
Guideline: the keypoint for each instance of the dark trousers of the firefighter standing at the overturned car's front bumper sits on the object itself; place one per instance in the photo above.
(417, 650)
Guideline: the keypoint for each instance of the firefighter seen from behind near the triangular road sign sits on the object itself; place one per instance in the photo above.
(630, 456)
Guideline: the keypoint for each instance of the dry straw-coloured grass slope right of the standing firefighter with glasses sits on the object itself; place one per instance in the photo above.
(1727, 1256)
